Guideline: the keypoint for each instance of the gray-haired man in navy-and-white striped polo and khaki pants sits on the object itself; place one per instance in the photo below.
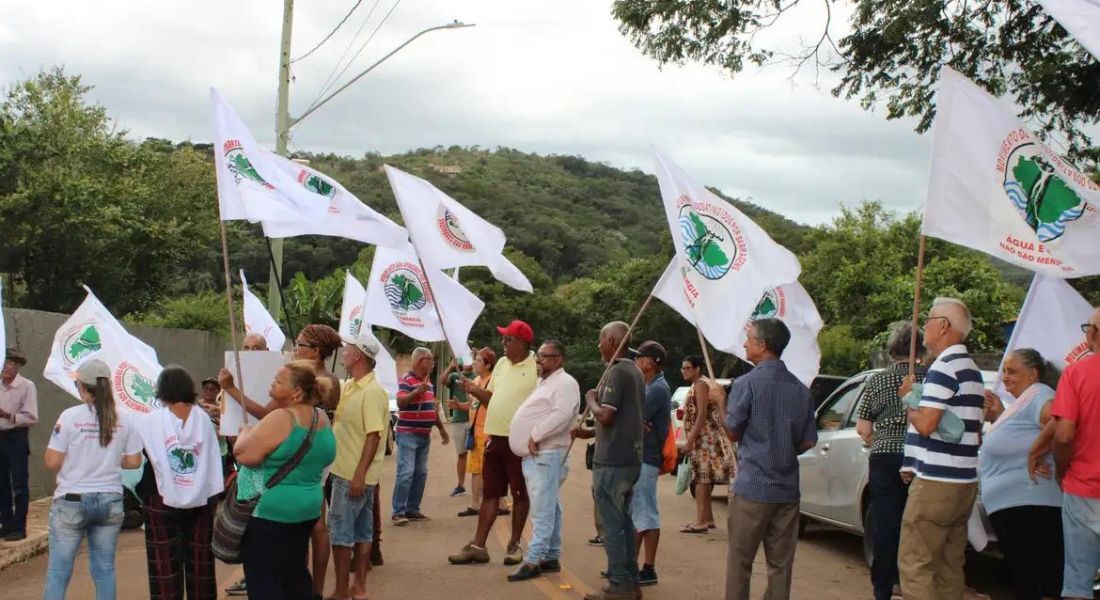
(941, 497)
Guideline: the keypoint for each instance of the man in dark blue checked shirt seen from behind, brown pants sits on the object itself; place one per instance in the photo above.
(772, 414)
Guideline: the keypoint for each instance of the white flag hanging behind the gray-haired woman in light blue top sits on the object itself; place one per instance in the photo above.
(1051, 322)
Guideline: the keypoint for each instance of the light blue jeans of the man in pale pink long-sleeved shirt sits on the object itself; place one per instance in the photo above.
(544, 475)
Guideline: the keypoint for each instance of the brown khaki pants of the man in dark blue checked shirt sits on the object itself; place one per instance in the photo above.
(751, 523)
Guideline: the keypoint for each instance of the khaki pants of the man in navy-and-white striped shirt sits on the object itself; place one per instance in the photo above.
(933, 540)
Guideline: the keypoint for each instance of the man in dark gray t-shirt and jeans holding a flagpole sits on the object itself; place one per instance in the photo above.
(618, 408)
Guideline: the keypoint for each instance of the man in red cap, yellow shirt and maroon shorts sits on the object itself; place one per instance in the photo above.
(514, 379)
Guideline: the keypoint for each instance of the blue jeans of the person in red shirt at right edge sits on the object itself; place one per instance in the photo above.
(1081, 525)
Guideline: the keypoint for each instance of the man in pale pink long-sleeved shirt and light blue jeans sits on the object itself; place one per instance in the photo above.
(540, 434)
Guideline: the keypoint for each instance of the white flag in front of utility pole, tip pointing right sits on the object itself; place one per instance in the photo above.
(346, 216)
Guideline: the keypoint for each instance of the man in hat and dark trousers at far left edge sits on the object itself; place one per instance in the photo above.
(19, 411)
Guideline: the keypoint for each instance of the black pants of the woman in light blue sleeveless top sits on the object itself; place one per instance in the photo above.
(1031, 539)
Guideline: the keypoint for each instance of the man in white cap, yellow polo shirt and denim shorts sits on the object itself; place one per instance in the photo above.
(359, 427)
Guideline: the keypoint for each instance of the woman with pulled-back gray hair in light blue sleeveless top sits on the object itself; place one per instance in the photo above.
(1027, 515)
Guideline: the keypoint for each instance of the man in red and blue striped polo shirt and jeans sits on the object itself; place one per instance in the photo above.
(416, 417)
